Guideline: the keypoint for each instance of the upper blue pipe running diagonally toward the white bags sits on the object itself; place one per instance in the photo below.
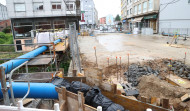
(18, 61)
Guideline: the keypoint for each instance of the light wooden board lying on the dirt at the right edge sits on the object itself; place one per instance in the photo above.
(175, 80)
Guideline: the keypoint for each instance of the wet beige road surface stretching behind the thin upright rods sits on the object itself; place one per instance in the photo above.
(140, 48)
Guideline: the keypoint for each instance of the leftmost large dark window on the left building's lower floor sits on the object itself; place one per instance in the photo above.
(22, 30)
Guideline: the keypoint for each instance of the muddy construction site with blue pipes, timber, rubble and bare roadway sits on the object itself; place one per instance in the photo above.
(104, 72)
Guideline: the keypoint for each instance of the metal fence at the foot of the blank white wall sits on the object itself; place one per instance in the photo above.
(172, 31)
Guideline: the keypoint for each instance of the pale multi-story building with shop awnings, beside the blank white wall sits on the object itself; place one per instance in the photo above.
(142, 13)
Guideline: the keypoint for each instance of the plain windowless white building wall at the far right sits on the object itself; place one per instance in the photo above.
(176, 15)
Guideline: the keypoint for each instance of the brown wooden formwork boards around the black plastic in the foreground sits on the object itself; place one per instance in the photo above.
(75, 102)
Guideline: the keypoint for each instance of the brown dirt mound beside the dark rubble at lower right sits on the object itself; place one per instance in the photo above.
(152, 86)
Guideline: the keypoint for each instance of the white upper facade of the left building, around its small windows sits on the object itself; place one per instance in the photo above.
(46, 12)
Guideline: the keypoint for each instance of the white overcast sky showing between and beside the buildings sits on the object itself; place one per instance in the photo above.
(104, 7)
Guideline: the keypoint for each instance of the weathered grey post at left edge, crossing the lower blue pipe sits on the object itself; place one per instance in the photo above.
(4, 88)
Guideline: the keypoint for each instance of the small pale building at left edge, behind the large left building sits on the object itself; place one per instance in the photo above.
(3, 12)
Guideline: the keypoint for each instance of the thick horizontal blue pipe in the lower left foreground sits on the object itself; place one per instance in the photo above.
(37, 90)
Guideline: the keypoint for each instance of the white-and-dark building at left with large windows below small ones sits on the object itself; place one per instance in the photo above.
(28, 15)
